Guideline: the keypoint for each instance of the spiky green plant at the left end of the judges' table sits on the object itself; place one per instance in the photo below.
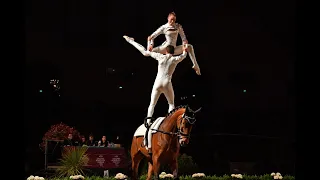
(72, 161)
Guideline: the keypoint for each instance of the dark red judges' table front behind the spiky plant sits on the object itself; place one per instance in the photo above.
(106, 158)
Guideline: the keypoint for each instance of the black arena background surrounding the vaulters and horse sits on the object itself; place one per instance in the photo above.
(239, 45)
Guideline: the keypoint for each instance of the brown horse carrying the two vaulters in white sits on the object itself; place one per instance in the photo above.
(173, 132)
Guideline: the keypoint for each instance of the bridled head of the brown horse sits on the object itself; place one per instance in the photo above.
(185, 124)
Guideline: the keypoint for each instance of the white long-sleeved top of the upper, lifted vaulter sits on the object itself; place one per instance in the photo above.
(171, 33)
